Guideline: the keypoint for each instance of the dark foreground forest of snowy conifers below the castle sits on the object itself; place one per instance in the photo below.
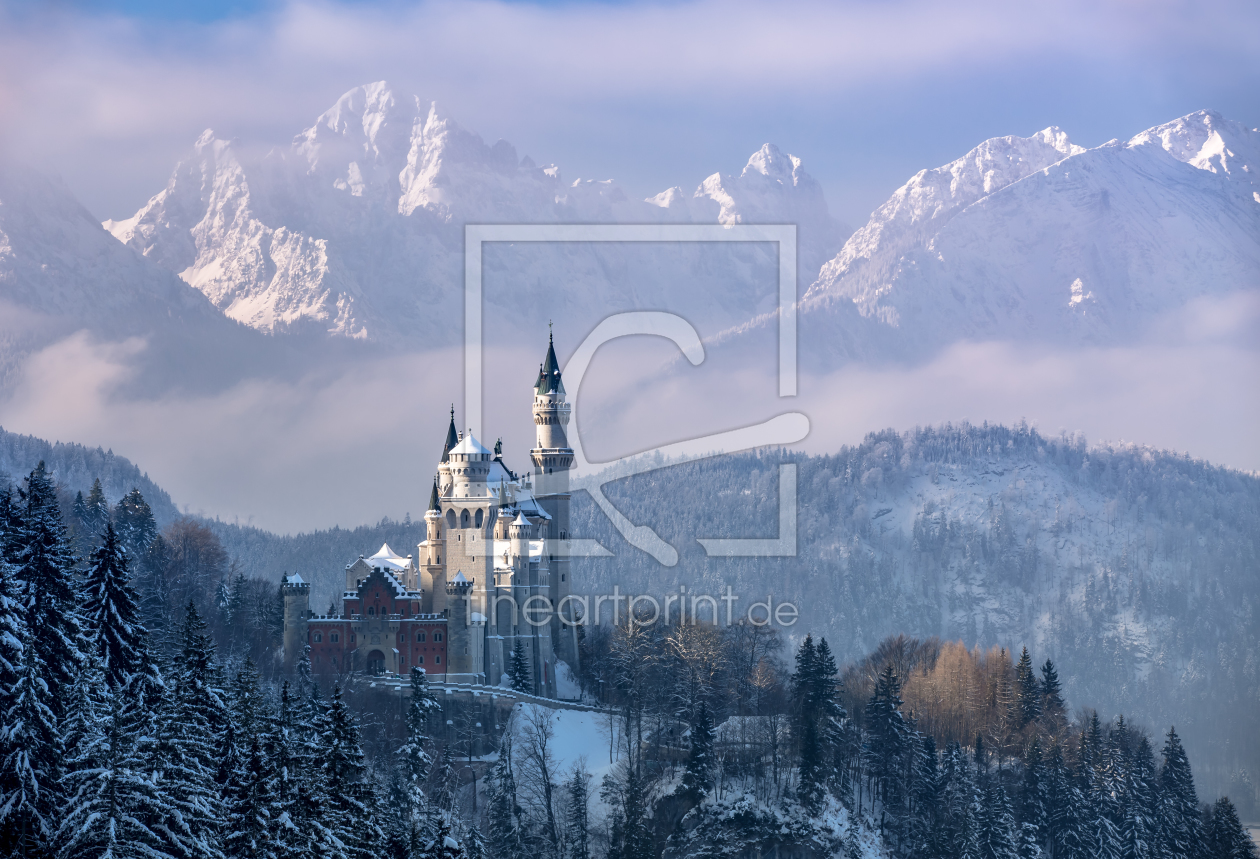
(146, 715)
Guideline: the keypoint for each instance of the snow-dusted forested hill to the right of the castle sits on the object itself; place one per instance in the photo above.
(1136, 570)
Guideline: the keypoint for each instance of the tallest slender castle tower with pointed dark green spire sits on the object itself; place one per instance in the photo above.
(553, 459)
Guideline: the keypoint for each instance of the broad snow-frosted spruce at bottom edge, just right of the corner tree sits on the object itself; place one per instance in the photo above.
(114, 805)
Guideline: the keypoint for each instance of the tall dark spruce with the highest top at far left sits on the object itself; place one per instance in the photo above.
(49, 593)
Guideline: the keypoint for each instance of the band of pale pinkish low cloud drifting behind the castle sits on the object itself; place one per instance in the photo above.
(357, 445)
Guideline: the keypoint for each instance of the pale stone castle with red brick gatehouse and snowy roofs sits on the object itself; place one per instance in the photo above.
(491, 574)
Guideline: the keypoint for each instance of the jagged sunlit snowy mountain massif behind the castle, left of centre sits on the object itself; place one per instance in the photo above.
(357, 227)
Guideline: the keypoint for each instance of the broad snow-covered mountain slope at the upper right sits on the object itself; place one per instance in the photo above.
(1038, 239)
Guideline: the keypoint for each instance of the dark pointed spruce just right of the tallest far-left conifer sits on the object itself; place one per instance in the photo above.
(112, 615)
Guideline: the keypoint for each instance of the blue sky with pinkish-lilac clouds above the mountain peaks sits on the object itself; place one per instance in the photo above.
(112, 95)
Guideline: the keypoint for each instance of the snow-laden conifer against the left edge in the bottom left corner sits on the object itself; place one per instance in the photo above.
(32, 761)
